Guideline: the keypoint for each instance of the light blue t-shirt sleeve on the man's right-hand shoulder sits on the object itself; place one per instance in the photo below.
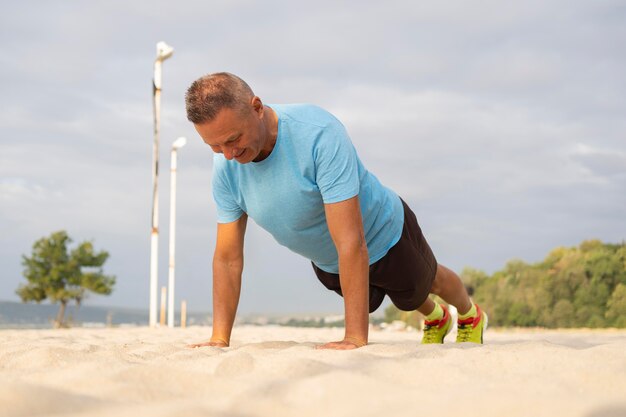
(336, 164)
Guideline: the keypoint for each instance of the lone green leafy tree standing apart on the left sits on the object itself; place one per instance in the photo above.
(61, 276)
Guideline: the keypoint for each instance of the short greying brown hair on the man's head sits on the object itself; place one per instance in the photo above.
(209, 94)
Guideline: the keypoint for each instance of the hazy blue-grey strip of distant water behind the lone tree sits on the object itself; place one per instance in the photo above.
(38, 316)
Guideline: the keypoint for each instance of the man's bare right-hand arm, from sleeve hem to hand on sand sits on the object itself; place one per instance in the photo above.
(346, 229)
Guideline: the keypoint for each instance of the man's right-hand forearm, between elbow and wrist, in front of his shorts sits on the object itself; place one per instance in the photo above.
(354, 280)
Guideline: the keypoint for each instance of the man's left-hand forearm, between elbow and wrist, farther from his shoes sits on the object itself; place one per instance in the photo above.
(226, 291)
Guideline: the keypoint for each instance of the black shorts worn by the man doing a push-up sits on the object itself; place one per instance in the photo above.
(406, 273)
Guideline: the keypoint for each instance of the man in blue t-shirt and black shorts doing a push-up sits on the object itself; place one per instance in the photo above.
(293, 169)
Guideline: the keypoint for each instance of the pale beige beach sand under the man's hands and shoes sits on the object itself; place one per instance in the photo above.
(275, 371)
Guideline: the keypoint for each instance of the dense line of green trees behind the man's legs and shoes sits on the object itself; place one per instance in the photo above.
(581, 286)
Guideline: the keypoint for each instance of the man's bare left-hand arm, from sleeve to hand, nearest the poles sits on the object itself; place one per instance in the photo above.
(227, 269)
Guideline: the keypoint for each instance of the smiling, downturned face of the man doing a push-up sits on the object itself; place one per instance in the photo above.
(239, 136)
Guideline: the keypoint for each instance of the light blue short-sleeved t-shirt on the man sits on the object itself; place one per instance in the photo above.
(313, 162)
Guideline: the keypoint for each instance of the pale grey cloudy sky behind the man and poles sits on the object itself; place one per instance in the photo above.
(502, 124)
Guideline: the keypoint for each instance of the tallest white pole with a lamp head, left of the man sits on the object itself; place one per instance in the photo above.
(163, 52)
